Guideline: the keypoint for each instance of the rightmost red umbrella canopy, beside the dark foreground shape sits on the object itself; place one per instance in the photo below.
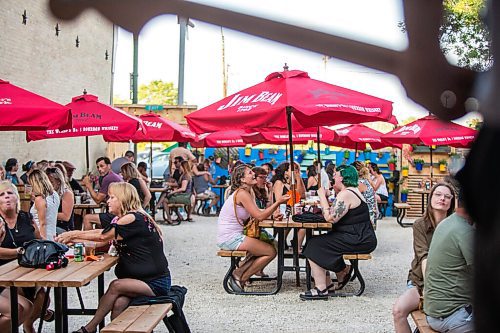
(431, 131)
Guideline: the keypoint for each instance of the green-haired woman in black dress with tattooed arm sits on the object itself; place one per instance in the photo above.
(352, 232)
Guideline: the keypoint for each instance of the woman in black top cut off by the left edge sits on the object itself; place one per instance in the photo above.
(17, 227)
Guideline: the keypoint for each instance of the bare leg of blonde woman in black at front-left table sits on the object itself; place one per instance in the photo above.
(119, 287)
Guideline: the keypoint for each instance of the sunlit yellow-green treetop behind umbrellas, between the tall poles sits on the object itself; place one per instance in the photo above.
(158, 92)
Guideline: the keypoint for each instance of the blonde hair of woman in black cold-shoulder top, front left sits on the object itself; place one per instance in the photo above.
(129, 200)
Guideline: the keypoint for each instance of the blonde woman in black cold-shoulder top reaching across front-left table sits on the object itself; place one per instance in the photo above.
(142, 268)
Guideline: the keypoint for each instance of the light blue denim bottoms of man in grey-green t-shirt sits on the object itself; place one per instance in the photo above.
(460, 321)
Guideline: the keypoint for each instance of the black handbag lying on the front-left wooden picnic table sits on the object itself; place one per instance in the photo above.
(39, 253)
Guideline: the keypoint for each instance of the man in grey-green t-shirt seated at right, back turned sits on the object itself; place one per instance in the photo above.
(449, 274)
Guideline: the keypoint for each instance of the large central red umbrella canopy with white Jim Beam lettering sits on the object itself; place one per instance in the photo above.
(312, 102)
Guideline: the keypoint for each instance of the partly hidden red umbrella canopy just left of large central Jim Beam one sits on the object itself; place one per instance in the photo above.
(158, 128)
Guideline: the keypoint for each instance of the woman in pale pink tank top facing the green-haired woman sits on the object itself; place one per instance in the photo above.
(230, 231)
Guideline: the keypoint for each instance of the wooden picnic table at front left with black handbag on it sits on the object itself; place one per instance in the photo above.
(76, 274)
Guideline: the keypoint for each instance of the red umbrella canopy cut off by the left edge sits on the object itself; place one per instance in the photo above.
(21, 110)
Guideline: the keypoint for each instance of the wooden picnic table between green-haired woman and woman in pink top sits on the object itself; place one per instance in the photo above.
(280, 227)
